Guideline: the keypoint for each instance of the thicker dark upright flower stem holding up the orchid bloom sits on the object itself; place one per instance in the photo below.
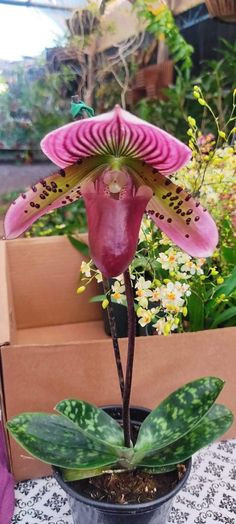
(130, 358)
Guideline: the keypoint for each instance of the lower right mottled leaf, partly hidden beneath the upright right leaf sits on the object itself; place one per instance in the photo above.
(212, 426)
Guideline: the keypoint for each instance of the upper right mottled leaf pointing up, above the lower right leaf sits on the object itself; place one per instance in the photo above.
(177, 414)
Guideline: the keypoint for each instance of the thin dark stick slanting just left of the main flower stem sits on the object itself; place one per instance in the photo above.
(112, 323)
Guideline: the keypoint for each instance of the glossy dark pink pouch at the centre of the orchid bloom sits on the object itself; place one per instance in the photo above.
(114, 224)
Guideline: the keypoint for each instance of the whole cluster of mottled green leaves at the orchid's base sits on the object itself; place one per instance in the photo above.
(85, 441)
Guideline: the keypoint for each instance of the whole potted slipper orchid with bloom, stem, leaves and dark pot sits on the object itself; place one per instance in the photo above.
(119, 164)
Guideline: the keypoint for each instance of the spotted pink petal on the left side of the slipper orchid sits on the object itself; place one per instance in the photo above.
(57, 190)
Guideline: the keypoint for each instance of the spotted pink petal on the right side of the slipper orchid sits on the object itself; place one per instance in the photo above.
(177, 214)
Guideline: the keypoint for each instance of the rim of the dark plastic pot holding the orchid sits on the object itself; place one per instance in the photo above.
(123, 508)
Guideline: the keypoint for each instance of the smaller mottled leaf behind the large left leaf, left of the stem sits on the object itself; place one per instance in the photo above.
(92, 421)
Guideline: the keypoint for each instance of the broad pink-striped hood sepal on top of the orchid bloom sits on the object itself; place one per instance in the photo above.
(116, 133)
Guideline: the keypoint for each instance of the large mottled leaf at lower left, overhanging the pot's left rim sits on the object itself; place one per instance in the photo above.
(56, 440)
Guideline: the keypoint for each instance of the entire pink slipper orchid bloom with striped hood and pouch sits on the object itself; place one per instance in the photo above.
(119, 165)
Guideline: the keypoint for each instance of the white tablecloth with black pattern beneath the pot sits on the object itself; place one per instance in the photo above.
(208, 498)
